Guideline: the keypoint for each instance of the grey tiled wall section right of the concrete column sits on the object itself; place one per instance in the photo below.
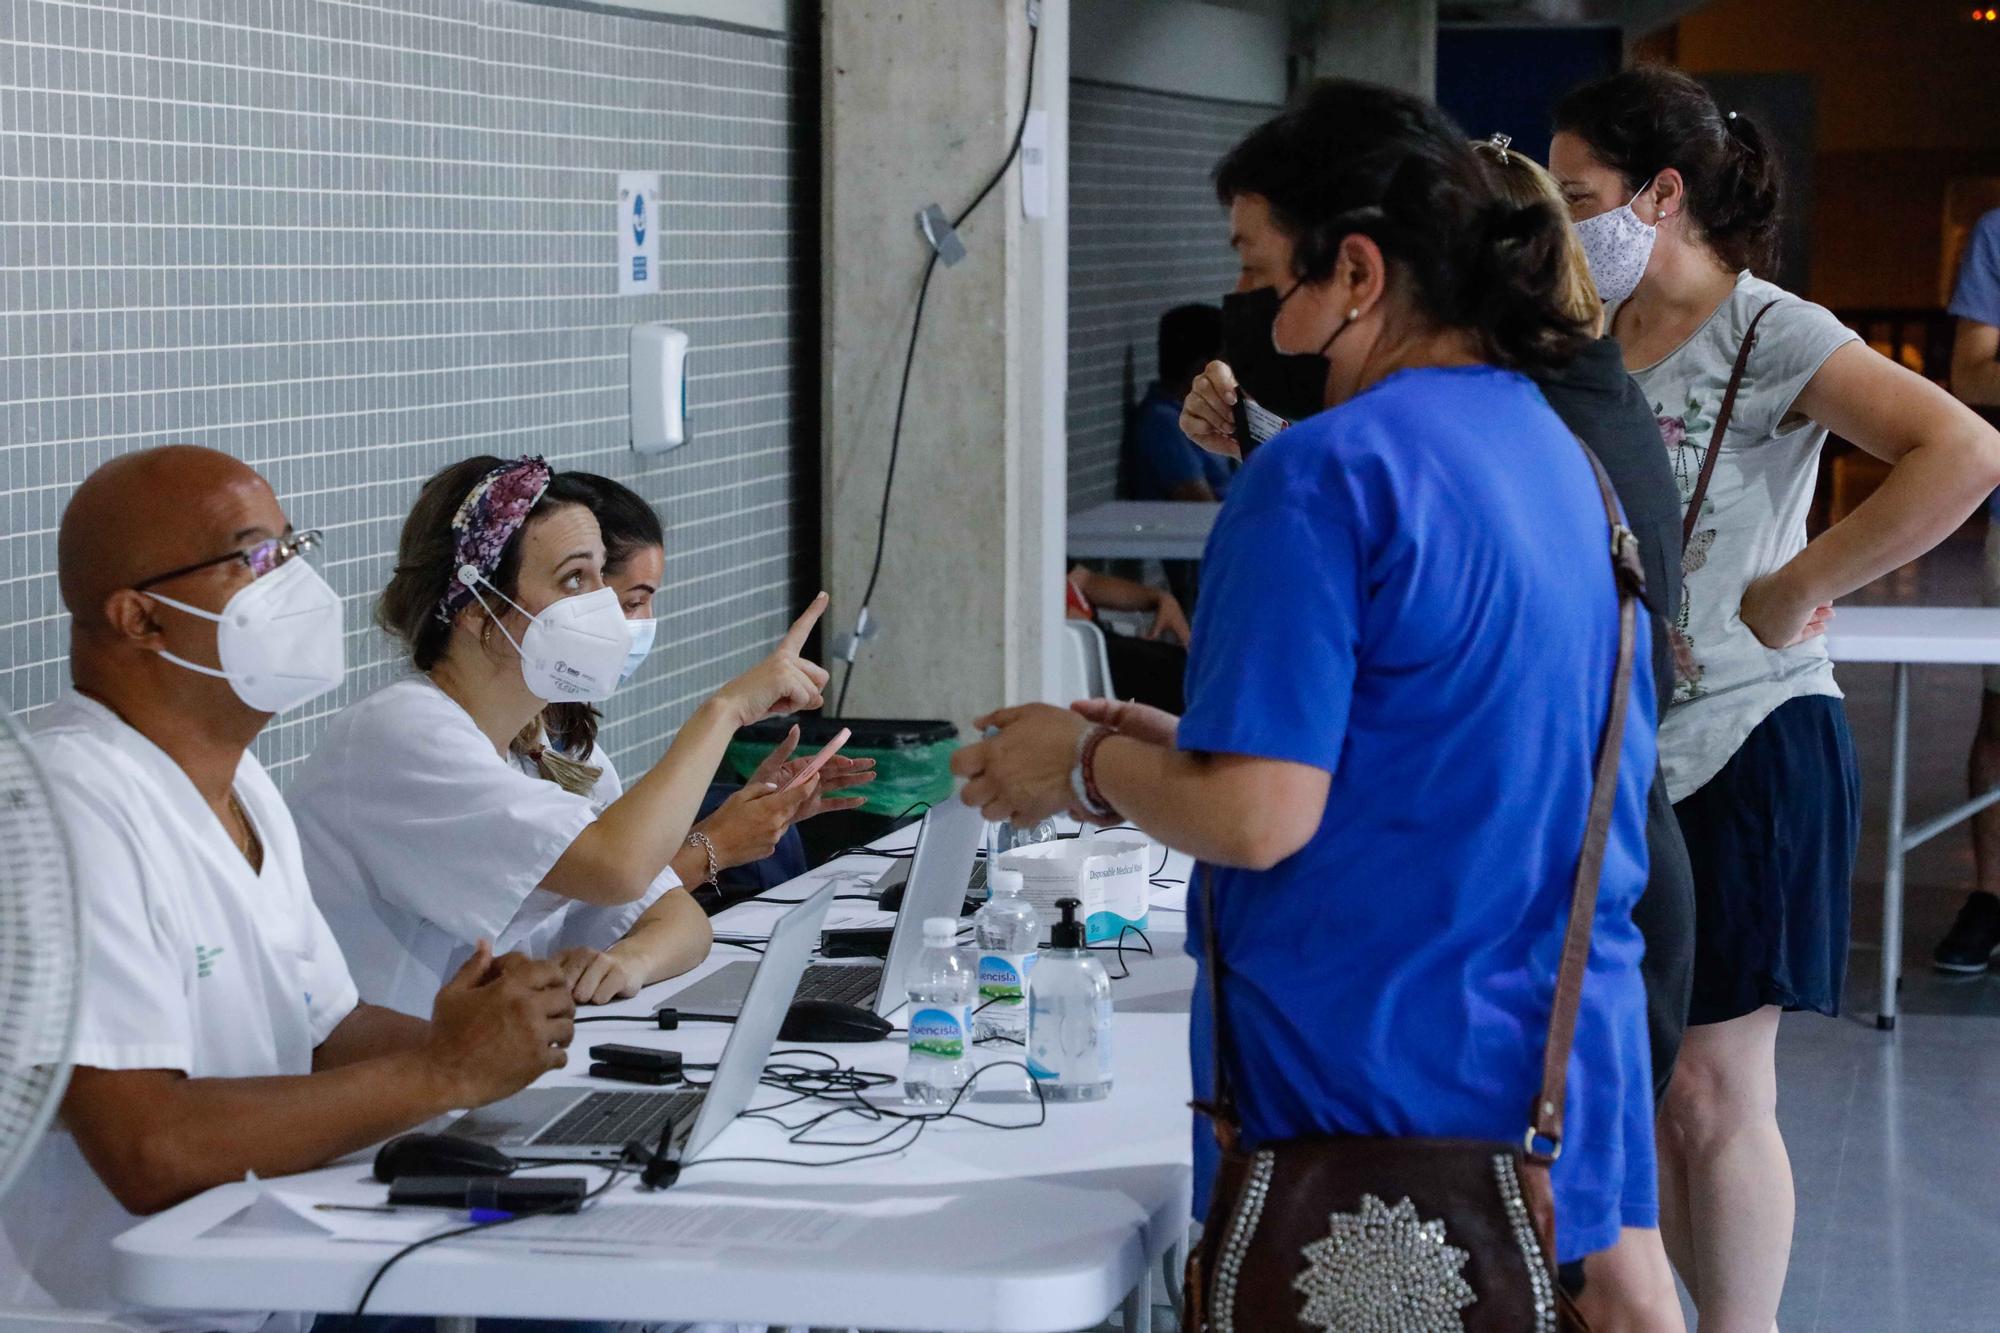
(1145, 235)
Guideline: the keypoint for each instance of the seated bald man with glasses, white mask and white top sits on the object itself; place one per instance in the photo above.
(221, 1032)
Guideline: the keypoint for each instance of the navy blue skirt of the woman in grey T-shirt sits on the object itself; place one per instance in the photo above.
(1773, 850)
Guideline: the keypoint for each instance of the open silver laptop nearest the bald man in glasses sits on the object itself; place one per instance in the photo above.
(575, 1124)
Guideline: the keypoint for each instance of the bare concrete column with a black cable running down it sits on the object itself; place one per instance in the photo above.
(919, 105)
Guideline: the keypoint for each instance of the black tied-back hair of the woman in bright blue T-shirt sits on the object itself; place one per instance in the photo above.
(1357, 159)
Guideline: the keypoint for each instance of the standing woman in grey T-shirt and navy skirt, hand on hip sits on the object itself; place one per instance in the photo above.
(1677, 201)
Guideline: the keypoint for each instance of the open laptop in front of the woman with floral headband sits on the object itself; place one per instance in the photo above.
(939, 874)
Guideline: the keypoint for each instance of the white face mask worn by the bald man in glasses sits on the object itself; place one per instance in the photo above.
(279, 639)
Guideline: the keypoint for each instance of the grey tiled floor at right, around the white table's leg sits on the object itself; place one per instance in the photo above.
(1897, 1138)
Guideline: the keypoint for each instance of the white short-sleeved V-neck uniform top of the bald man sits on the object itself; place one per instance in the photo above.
(195, 964)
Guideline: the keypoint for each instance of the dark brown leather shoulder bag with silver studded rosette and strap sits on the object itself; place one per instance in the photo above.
(1409, 1236)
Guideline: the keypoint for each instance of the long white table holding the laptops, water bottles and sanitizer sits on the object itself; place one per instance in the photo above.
(1045, 1230)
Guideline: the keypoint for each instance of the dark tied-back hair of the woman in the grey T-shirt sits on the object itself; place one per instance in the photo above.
(1649, 119)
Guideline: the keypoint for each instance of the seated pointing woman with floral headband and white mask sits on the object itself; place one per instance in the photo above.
(423, 836)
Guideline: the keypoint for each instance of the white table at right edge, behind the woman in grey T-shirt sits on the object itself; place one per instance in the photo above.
(1905, 637)
